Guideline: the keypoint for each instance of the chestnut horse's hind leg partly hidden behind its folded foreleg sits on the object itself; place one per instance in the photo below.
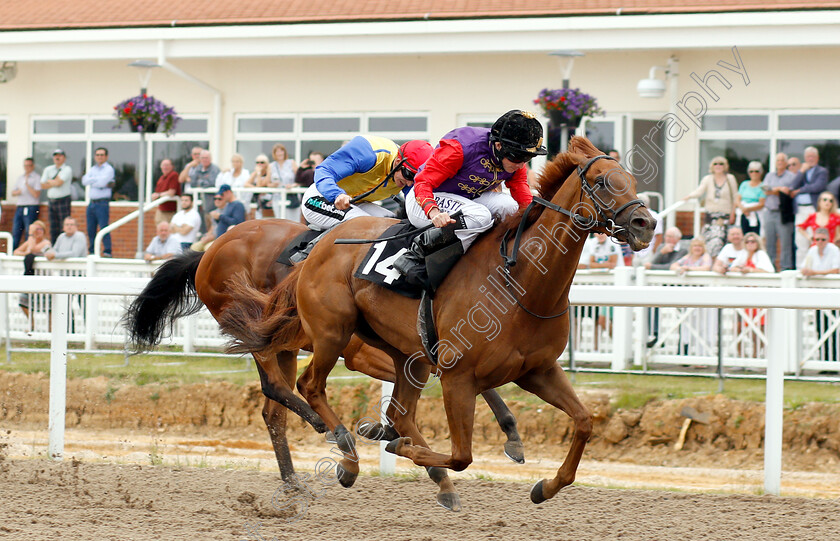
(402, 411)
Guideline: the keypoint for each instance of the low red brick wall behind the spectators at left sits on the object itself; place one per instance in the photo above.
(123, 240)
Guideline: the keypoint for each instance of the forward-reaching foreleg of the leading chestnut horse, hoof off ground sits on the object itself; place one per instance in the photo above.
(554, 387)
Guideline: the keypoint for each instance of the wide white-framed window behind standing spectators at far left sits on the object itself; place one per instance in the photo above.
(79, 136)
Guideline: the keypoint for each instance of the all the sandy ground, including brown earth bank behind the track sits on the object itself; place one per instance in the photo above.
(233, 492)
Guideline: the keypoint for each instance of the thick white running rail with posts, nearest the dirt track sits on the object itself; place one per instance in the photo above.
(777, 300)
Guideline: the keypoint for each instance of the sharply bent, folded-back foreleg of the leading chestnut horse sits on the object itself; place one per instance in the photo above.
(459, 400)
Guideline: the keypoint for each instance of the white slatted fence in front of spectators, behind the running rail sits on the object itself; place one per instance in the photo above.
(611, 336)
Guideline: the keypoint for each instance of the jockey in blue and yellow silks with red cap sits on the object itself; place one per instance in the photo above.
(367, 164)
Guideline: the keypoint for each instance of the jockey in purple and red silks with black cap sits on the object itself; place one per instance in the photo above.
(463, 175)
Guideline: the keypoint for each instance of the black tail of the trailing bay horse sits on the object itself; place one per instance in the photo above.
(168, 296)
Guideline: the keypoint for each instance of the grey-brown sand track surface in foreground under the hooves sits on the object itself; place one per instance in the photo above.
(78, 501)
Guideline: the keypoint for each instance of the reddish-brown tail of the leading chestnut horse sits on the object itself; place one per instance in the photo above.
(263, 319)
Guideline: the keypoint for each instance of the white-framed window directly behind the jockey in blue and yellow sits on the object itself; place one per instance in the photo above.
(325, 133)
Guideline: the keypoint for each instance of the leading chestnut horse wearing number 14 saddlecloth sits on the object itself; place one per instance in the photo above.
(497, 323)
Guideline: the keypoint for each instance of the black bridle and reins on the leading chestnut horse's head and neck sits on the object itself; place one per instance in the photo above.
(606, 222)
